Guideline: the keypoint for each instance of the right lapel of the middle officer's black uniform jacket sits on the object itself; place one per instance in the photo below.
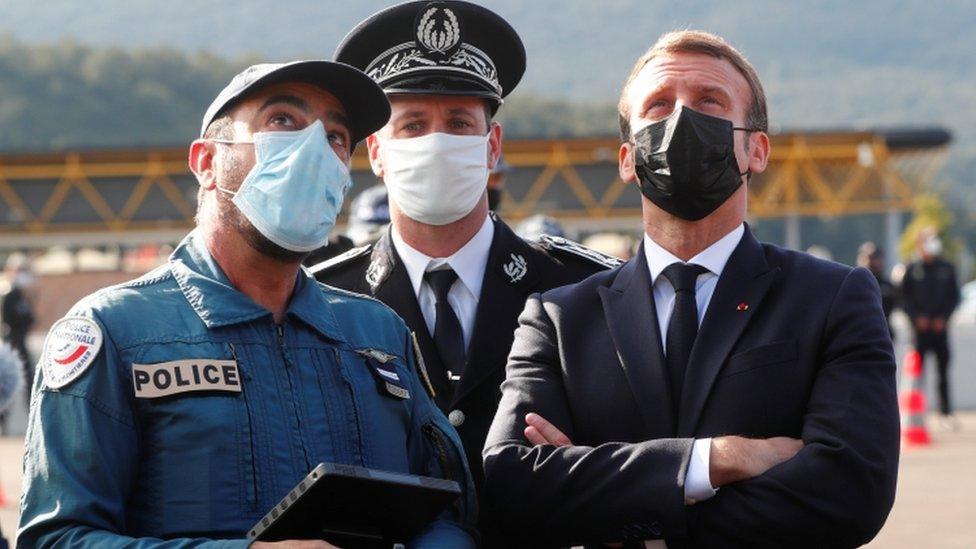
(510, 277)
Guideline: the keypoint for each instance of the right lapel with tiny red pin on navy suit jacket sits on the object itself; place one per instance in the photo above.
(744, 281)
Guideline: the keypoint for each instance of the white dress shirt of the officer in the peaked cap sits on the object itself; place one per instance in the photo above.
(469, 263)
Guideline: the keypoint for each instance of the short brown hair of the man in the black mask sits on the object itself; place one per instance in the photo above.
(692, 41)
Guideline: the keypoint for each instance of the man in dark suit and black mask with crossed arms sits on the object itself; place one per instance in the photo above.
(708, 361)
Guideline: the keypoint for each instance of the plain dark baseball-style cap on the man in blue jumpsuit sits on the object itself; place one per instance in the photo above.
(367, 108)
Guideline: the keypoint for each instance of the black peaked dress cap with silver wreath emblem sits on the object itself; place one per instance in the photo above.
(444, 47)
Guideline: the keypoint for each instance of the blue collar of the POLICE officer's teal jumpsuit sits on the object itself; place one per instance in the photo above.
(218, 303)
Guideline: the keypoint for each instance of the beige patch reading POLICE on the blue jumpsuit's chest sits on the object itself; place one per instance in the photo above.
(182, 376)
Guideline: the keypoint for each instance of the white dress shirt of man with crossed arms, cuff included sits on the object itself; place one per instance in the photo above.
(698, 485)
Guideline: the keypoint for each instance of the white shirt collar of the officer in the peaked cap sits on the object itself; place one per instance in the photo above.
(469, 262)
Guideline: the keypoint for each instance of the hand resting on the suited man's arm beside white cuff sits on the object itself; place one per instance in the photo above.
(736, 458)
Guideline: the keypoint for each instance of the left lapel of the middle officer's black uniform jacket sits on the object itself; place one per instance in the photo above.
(390, 283)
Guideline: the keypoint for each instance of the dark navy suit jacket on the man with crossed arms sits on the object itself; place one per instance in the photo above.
(789, 346)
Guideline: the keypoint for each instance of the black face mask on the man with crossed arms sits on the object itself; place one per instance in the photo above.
(686, 163)
